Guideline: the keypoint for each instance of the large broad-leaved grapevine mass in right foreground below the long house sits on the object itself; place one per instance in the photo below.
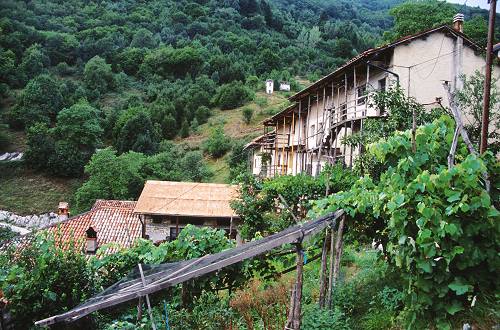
(438, 225)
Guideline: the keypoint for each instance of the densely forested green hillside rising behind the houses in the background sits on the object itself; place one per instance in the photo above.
(77, 75)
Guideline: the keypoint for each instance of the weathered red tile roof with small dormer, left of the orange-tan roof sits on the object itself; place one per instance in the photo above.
(114, 222)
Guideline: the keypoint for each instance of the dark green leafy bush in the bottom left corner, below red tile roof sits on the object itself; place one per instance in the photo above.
(41, 280)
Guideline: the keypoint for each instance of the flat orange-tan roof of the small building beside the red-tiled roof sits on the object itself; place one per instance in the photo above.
(186, 199)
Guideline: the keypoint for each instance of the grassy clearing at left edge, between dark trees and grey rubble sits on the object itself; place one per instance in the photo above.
(26, 192)
